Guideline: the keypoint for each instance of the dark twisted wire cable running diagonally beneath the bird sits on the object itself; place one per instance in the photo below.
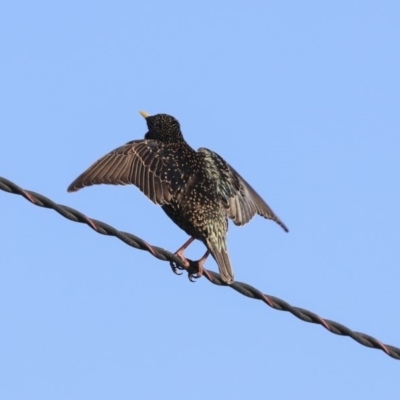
(213, 277)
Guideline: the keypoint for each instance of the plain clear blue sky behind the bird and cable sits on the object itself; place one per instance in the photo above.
(301, 97)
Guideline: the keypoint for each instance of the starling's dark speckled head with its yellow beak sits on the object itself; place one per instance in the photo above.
(162, 127)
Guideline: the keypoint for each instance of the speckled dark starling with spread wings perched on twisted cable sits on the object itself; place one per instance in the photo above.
(198, 190)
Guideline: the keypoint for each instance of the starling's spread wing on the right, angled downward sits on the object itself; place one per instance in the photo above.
(240, 199)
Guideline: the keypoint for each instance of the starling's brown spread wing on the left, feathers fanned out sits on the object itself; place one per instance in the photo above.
(148, 164)
